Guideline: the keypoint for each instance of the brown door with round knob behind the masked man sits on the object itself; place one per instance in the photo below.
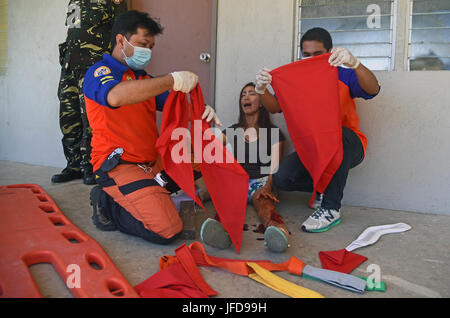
(187, 40)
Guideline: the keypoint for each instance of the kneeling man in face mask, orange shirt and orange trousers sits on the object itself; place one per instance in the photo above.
(121, 102)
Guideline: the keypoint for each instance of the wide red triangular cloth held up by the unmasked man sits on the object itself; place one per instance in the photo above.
(308, 93)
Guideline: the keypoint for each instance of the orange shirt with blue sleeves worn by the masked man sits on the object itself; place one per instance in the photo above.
(131, 127)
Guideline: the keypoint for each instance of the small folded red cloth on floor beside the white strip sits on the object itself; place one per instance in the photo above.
(341, 261)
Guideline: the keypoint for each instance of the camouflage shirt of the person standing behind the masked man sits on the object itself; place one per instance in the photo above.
(89, 25)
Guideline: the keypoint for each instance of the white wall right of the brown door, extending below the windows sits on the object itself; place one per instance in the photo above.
(408, 125)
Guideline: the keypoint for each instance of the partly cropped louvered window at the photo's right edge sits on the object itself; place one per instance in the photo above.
(429, 35)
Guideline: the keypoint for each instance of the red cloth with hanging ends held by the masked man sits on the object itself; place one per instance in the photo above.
(226, 180)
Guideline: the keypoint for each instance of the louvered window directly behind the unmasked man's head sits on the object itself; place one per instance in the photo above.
(365, 27)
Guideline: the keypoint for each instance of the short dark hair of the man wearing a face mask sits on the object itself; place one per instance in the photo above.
(129, 22)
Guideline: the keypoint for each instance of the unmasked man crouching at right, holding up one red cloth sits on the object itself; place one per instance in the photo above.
(354, 81)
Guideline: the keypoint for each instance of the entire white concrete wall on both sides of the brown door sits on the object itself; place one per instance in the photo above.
(408, 124)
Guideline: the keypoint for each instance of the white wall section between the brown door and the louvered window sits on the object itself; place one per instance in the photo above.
(251, 34)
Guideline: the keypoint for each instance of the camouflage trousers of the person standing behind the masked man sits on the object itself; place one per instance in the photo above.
(73, 120)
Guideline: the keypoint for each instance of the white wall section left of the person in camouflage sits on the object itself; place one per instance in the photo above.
(29, 107)
